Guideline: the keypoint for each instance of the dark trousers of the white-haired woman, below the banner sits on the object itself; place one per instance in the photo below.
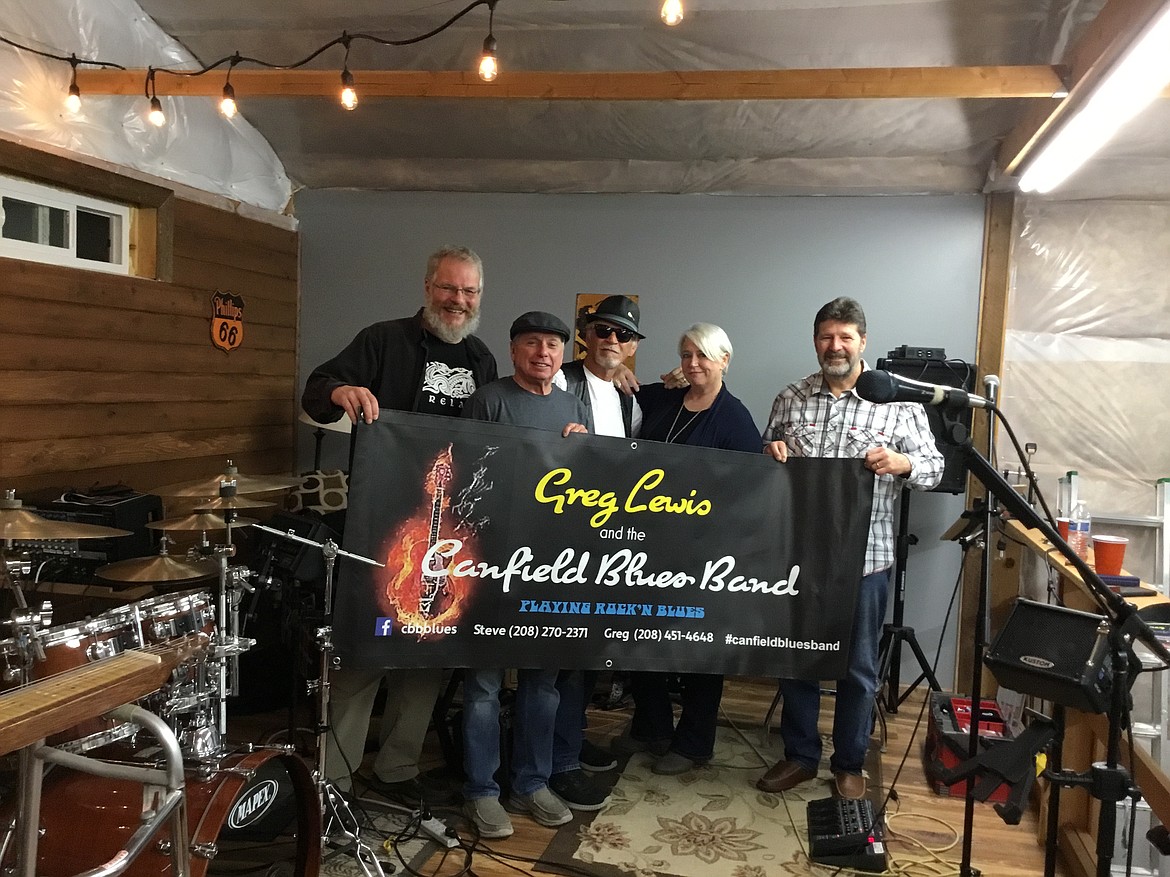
(655, 719)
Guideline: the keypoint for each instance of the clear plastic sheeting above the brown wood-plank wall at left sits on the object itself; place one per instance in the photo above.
(197, 148)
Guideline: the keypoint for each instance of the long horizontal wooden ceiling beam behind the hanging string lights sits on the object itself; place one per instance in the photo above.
(813, 85)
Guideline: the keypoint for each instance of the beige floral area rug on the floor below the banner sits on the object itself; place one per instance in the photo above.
(711, 823)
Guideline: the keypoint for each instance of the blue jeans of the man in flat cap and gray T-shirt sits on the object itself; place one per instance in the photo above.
(533, 719)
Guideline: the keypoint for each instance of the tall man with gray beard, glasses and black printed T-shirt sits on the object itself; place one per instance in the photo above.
(430, 363)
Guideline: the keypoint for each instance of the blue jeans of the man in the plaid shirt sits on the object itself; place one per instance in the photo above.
(854, 717)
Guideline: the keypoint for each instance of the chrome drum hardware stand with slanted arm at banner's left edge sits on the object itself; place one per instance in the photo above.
(338, 818)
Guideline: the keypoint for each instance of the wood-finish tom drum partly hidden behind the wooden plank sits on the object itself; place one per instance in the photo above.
(72, 646)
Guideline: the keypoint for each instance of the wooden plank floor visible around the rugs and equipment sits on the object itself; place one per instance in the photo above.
(926, 831)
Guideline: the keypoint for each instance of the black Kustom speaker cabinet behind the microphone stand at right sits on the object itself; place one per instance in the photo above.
(1055, 654)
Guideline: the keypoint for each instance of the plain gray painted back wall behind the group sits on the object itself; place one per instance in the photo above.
(759, 267)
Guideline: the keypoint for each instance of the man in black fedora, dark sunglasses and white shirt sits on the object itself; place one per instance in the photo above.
(611, 336)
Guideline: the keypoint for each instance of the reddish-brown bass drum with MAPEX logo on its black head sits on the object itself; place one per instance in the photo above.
(258, 814)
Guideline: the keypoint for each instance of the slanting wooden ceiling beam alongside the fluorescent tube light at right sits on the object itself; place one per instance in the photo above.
(1090, 60)
